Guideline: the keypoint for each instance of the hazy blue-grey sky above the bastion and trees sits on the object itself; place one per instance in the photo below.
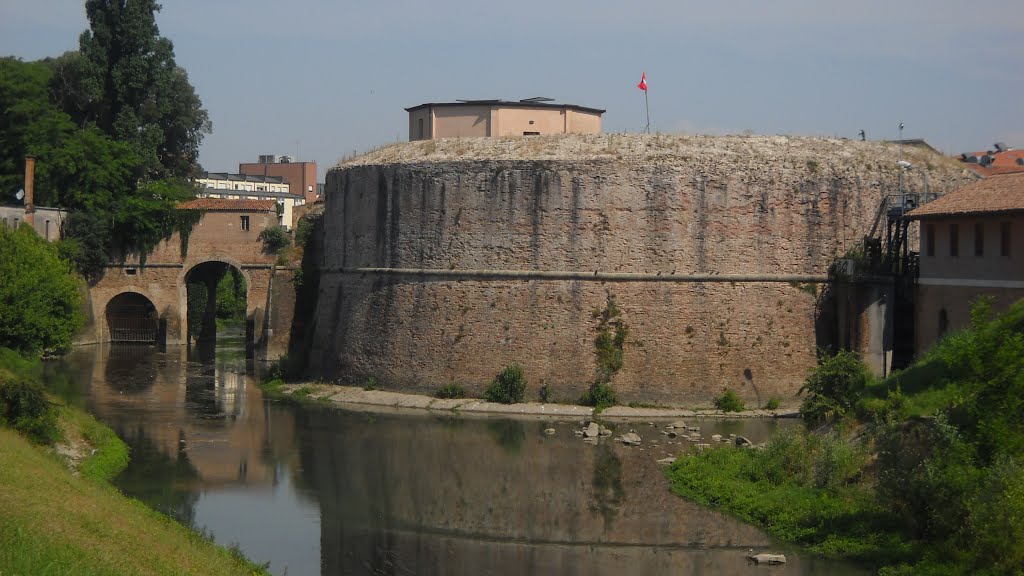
(323, 79)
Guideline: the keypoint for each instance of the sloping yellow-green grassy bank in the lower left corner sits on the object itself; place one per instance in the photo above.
(61, 516)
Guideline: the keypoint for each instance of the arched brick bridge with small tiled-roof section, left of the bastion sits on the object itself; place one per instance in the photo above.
(136, 303)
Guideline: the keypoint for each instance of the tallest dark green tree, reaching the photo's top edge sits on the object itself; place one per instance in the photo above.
(145, 98)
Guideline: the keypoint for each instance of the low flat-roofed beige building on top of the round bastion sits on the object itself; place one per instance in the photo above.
(500, 118)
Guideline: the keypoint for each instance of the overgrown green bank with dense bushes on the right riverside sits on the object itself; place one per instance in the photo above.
(922, 473)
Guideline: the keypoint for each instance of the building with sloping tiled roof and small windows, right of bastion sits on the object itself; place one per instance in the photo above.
(972, 244)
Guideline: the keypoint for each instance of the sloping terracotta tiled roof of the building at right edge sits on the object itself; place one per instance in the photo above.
(999, 194)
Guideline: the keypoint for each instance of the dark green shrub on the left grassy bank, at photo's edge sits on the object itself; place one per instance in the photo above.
(24, 406)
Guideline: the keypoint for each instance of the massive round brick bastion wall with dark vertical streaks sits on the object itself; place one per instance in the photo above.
(709, 246)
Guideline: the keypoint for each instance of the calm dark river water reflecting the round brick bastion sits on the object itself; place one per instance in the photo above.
(321, 490)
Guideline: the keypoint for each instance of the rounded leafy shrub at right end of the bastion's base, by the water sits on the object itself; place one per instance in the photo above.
(834, 388)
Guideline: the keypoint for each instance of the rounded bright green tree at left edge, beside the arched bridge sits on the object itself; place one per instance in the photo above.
(40, 306)
